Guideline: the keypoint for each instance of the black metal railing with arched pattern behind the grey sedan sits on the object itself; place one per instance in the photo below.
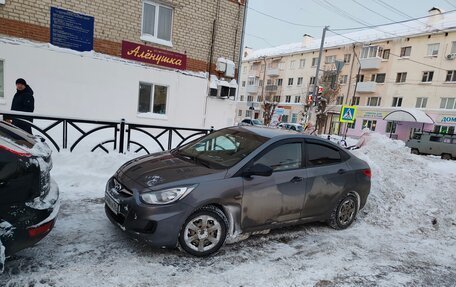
(122, 136)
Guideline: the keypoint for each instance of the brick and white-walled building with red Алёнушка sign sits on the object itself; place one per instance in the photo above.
(148, 61)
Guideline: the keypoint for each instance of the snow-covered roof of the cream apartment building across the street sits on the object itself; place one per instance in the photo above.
(444, 21)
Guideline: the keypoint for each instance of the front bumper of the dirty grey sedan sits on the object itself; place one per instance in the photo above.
(159, 225)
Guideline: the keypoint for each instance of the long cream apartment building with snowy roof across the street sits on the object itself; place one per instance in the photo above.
(402, 77)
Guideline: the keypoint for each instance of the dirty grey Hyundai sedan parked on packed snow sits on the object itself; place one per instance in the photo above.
(233, 181)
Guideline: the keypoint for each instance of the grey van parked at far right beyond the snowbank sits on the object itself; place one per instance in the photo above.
(443, 145)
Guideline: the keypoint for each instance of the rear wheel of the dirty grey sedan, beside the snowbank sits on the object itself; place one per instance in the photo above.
(344, 213)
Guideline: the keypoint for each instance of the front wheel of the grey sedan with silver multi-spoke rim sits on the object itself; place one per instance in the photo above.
(204, 232)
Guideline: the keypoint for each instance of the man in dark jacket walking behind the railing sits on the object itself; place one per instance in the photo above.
(23, 101)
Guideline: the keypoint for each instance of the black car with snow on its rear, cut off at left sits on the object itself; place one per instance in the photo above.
(29, 198)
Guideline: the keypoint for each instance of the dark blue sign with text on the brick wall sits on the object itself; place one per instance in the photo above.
(71, 30)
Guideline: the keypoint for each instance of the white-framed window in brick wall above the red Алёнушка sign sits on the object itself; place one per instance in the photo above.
(157, 23)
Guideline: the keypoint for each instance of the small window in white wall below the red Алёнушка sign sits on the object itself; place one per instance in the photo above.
(152, 98)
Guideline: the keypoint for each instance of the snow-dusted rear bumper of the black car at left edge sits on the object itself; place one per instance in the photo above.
(30, 223)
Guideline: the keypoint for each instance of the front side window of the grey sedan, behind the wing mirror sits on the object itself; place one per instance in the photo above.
(283, 157)
